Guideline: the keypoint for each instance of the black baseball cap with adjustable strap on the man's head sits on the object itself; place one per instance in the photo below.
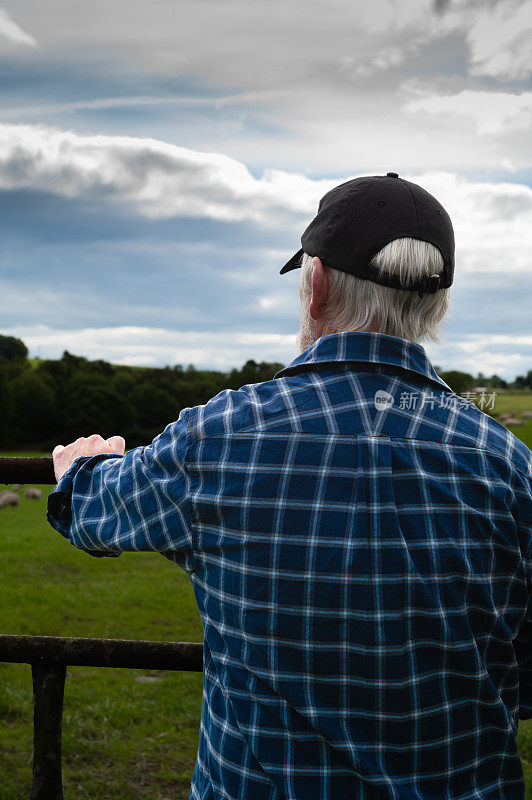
(358, 218)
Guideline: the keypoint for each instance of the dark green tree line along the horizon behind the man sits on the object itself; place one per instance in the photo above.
(46, 402)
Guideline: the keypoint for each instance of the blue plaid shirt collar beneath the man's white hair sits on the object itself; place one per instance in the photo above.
(365, 347)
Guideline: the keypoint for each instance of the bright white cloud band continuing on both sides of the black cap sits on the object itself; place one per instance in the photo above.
(493, 221)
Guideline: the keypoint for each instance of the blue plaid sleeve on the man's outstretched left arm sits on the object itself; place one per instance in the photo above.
(109, 504)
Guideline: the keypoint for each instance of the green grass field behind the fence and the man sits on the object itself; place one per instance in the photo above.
(122, 739)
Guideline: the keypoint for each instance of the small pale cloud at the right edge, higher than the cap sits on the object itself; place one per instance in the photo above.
(492, 112)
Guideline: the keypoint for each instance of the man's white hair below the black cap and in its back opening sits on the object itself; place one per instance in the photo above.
(356, 304)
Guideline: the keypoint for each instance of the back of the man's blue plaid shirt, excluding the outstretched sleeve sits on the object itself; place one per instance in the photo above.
(361, 577)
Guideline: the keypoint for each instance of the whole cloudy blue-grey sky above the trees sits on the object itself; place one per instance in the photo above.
(159, 160)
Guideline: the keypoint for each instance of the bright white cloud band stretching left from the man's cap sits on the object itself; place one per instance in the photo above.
(160, 179)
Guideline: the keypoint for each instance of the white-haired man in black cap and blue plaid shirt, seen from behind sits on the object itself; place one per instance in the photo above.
(359, 538)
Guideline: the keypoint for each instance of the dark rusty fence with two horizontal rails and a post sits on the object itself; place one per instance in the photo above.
(49, 657)
